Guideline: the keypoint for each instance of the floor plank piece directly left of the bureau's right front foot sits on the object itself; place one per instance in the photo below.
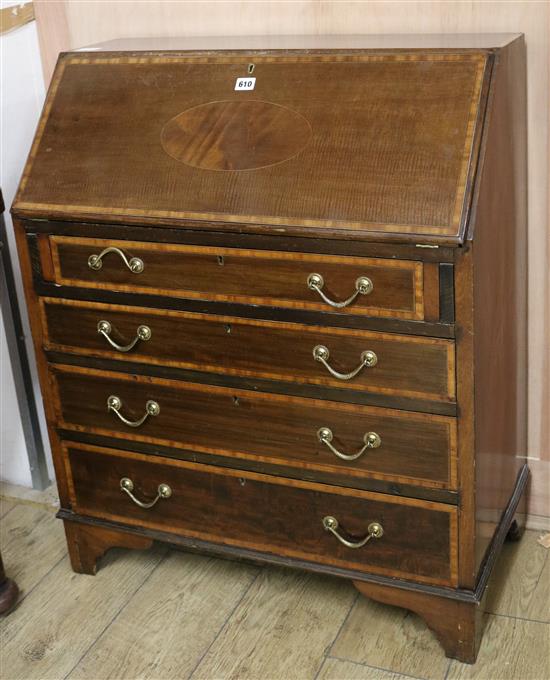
(391, 638)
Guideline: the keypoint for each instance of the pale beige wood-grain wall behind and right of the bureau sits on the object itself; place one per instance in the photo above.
(94, 21)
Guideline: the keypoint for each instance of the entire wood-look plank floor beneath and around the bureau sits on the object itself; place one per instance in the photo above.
(163, 614)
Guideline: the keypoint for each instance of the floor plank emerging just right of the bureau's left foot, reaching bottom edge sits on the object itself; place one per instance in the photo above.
(168, 625)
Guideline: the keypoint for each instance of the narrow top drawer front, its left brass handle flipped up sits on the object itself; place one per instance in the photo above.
(257, 277)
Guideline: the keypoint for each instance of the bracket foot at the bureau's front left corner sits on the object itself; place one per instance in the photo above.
(87, 544)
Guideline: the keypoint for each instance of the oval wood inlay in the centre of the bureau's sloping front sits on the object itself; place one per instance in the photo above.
(235, 135)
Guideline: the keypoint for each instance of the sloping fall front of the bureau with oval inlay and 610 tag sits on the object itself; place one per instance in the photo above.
(371, 143)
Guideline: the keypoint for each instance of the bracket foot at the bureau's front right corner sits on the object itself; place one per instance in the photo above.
(456, 624)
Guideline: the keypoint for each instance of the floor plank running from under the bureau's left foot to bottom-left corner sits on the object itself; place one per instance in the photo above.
(54, 626)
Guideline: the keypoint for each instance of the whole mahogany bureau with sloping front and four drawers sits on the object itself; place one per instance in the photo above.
(277, 294)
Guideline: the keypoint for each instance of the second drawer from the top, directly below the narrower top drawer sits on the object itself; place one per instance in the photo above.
(409, 366)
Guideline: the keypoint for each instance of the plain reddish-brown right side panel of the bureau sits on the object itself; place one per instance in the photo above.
(500, 298)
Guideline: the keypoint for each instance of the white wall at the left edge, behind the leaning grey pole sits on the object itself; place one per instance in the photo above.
(21, 99)
